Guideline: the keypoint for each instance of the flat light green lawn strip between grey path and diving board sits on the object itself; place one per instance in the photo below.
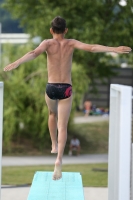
(24, 175)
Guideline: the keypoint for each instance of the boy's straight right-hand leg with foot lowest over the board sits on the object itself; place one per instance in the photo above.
(64, 108)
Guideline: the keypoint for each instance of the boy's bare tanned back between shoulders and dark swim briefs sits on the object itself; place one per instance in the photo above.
(59, 60)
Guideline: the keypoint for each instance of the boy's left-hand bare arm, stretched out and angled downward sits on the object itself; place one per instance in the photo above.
(27, 57)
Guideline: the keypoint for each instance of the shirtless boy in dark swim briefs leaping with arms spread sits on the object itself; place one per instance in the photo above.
(59, 88)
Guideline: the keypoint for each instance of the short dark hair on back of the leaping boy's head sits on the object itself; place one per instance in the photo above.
(58, 25)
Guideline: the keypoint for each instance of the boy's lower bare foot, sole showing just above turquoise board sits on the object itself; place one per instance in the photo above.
(57, 170)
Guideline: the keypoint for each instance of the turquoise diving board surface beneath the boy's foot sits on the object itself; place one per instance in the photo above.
(69, 187)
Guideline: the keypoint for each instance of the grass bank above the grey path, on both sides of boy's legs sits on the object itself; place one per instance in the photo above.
(93, 138)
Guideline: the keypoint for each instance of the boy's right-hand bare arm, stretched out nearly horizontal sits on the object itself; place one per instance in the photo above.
(100, 48)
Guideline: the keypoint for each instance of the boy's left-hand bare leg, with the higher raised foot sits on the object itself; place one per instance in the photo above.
(52, 122)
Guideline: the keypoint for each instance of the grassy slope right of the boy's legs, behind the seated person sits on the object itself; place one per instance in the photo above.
(93, 137)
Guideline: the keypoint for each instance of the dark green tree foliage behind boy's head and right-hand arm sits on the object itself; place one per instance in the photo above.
(103, 22)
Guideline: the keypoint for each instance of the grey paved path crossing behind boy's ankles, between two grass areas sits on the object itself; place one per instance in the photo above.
(49, 160)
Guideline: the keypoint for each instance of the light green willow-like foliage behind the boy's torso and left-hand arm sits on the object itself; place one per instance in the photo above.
(25, 110)
